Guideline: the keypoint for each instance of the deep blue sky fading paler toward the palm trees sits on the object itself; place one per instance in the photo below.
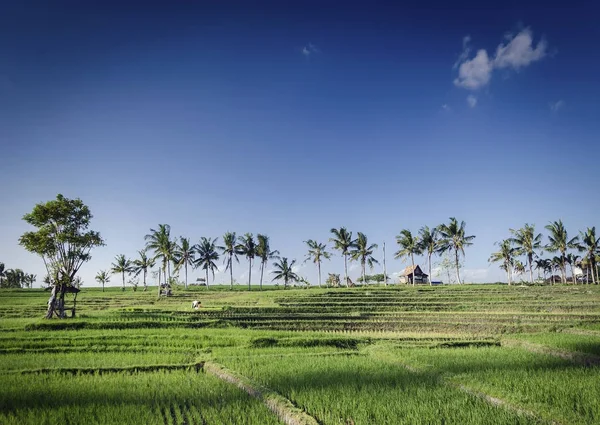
(290, 119)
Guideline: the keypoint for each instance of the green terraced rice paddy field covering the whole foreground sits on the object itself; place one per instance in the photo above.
(470, 354)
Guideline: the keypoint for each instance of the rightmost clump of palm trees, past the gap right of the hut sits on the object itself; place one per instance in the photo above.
(526, 242)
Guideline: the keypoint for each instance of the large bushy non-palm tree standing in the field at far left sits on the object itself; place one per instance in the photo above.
(63, 241)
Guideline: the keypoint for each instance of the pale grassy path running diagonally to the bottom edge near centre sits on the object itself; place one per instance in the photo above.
(281, 406)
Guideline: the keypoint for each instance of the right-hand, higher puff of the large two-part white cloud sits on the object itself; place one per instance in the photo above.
(519, 52)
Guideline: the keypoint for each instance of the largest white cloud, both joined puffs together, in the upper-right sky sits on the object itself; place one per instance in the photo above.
(517, 53)
